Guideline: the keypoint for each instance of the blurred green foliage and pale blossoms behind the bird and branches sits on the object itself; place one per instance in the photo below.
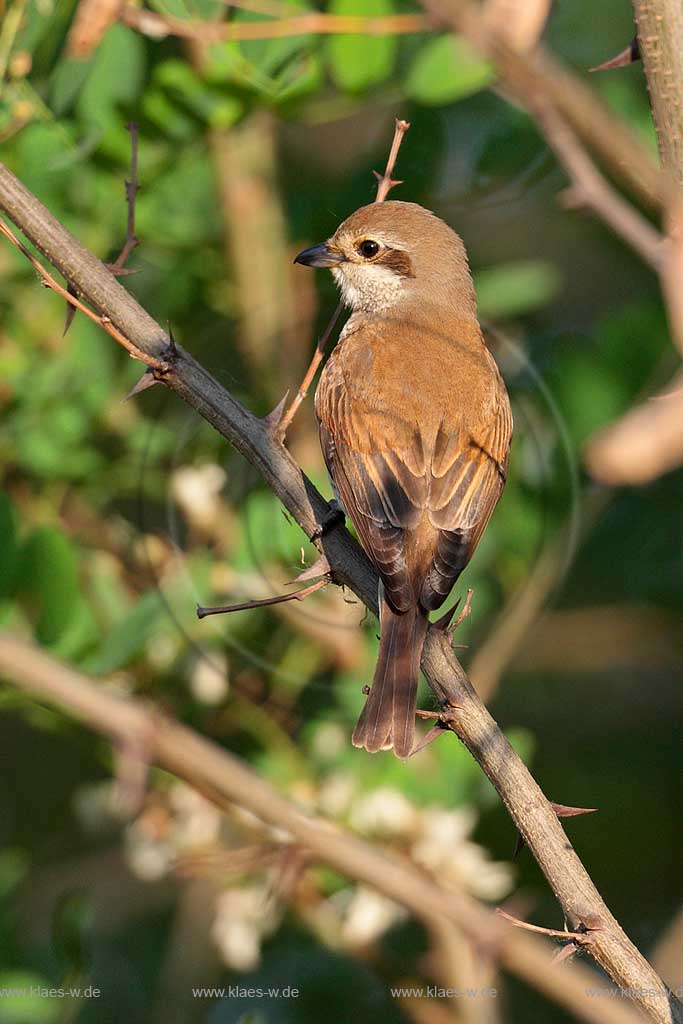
(118, 518)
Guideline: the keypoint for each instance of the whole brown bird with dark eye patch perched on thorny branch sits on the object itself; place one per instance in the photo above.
(415, 425)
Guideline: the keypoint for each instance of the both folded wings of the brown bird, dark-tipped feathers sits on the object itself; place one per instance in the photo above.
(453, 484)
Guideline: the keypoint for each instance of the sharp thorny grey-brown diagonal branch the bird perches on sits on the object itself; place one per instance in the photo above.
(464, 712)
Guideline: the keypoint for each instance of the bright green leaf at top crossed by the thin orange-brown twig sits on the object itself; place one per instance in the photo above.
(357, 62)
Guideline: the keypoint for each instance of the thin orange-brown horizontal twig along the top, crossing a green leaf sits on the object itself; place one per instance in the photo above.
(159, 26)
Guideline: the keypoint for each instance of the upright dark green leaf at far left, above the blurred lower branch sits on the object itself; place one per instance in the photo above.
(48, 572)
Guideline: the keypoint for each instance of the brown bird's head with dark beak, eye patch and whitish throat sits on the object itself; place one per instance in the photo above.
(391, 254)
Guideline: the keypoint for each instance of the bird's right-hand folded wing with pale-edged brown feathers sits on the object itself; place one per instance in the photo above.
(468, 473)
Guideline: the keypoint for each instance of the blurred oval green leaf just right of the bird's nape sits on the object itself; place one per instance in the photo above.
(517, 288)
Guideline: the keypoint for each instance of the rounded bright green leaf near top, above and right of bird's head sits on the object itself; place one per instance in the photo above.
(447, 69)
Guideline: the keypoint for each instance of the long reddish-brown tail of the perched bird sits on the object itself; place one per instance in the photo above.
(389, 718)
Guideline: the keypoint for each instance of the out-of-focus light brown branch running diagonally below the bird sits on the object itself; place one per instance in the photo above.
(226, 779)
